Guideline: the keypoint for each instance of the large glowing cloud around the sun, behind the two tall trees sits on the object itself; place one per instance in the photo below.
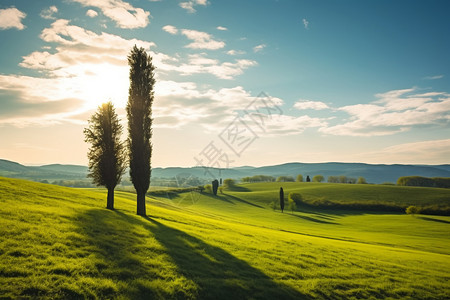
(81, 71)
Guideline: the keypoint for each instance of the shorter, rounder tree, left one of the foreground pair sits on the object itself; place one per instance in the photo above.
(107, 153)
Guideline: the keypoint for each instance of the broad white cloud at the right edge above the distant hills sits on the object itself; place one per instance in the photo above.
(395, 111)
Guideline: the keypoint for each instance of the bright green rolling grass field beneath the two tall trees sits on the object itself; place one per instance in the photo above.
(61, 243)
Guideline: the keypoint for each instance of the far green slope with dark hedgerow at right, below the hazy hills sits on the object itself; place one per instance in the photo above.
(367, 197)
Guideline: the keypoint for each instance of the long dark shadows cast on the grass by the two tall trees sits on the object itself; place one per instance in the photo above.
(214, 272)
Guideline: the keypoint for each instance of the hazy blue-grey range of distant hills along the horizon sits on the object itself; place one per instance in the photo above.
(372, 173)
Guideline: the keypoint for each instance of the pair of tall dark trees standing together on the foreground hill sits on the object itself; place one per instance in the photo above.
(108, 155)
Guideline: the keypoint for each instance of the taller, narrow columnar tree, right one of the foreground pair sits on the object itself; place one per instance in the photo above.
(139, 112)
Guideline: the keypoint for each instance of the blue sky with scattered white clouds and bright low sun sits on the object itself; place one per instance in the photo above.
(238, 83)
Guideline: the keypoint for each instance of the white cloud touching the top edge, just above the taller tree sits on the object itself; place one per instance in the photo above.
(123, 13)
